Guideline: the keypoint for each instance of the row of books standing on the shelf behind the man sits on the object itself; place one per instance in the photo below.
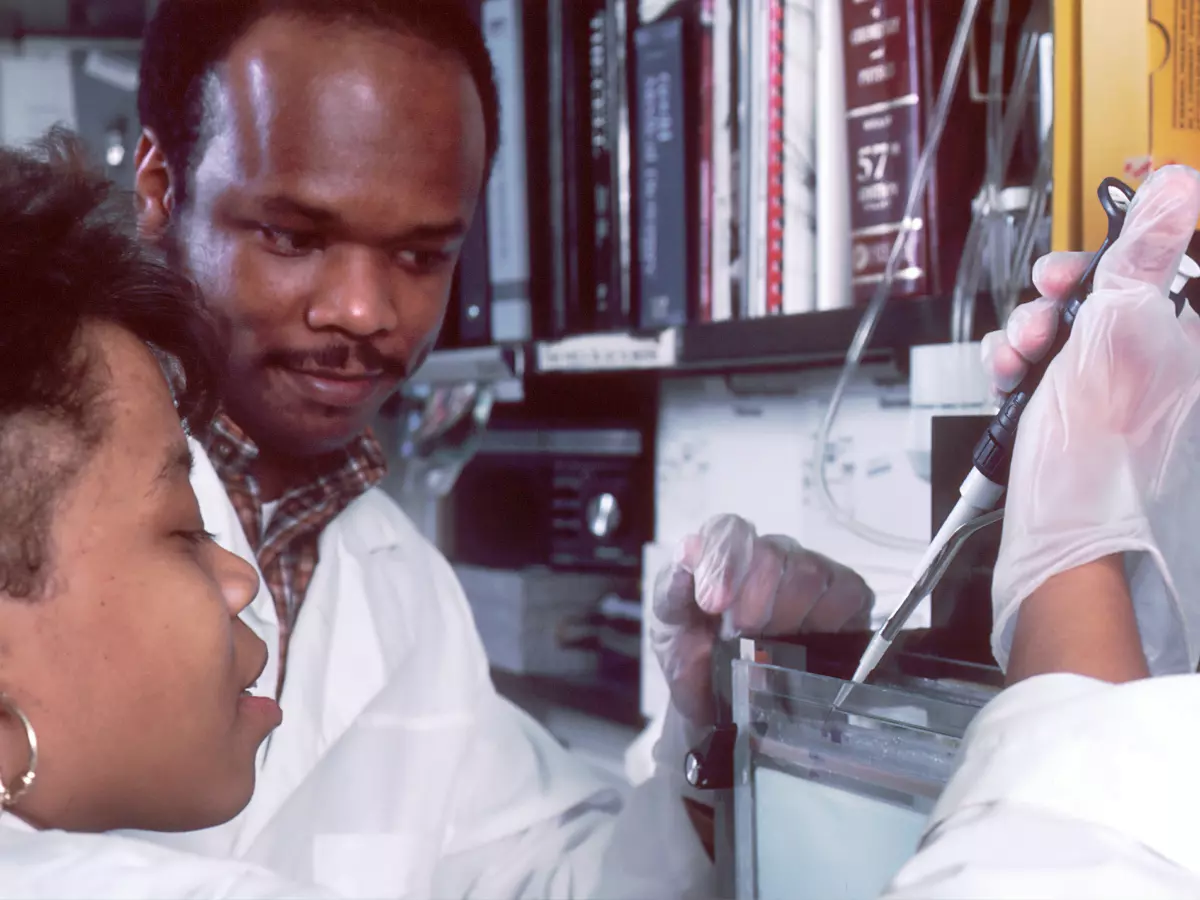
(665, 164)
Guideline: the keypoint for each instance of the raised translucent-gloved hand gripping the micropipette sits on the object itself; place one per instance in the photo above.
(1108, 453)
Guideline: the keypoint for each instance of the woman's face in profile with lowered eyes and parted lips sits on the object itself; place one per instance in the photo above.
(133, 667)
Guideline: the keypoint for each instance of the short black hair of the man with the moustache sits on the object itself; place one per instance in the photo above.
(188, 39)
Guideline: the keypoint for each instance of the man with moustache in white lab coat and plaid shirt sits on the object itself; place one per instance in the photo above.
(315, 169)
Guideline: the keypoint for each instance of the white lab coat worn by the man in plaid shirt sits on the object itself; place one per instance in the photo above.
(399, 771)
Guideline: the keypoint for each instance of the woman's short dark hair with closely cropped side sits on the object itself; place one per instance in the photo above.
(69, 257)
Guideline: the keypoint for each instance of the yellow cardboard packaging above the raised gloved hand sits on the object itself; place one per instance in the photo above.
(1127, 101)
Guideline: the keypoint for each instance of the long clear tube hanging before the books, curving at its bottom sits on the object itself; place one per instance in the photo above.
(884, 290)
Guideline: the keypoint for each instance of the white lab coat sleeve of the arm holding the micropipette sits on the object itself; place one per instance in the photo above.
(1069, 788)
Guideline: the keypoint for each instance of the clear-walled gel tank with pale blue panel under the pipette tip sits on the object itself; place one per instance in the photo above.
(832, 808)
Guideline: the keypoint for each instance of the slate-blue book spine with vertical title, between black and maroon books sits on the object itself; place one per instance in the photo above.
(664, 188)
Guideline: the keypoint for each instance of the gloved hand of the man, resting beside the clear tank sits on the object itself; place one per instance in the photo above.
(729, 580)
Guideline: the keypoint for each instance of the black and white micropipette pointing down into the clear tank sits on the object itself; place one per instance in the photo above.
(986, 483)
